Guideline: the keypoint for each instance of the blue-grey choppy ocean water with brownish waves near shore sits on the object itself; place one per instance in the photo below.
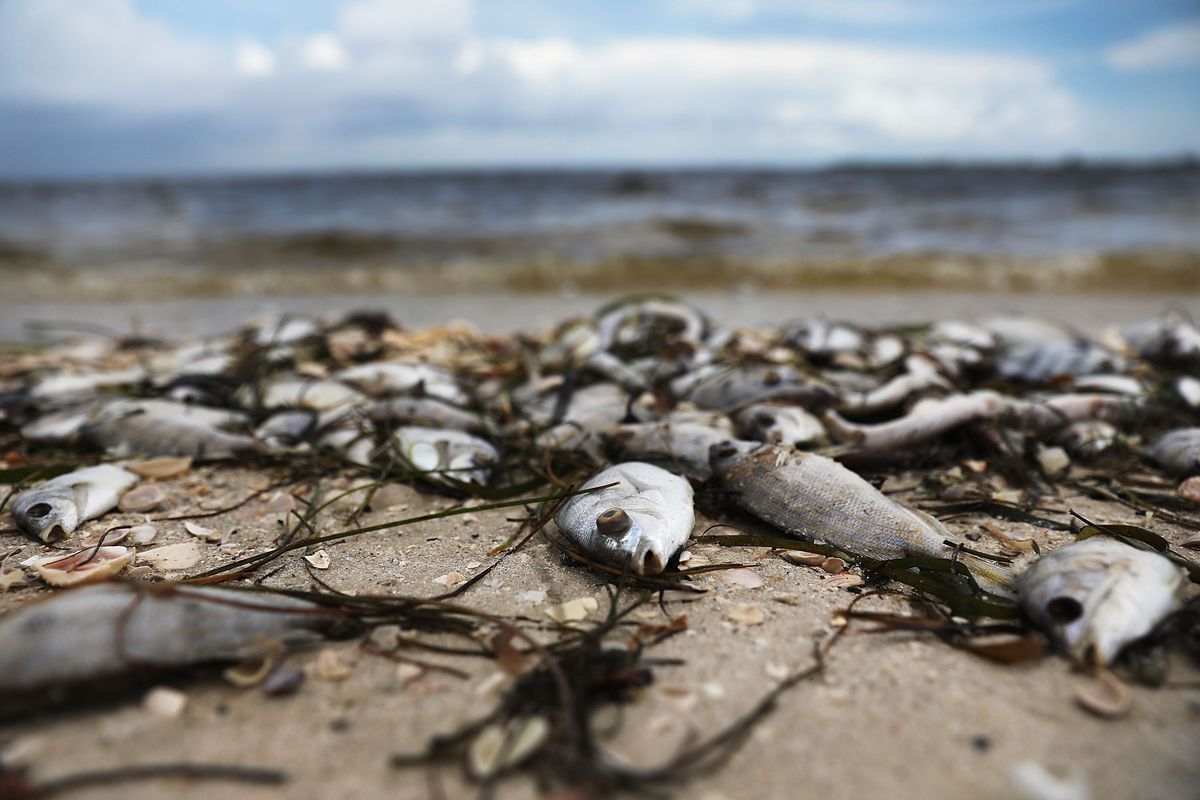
(968, 227)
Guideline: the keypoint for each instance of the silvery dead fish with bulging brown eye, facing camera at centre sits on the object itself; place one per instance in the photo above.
(643, 521)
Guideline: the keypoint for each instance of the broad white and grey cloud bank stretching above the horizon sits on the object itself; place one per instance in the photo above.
(387, 86)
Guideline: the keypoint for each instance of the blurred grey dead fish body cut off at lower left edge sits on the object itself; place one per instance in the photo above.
(113, 630)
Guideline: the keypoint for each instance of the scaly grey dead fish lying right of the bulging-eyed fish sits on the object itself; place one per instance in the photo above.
(818, 498)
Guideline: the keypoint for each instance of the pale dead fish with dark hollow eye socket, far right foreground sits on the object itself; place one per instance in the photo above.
(1096, 597)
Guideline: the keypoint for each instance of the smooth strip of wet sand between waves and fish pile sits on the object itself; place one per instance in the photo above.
(505, 312)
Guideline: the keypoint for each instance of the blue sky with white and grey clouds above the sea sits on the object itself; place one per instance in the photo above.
(98, 88)
